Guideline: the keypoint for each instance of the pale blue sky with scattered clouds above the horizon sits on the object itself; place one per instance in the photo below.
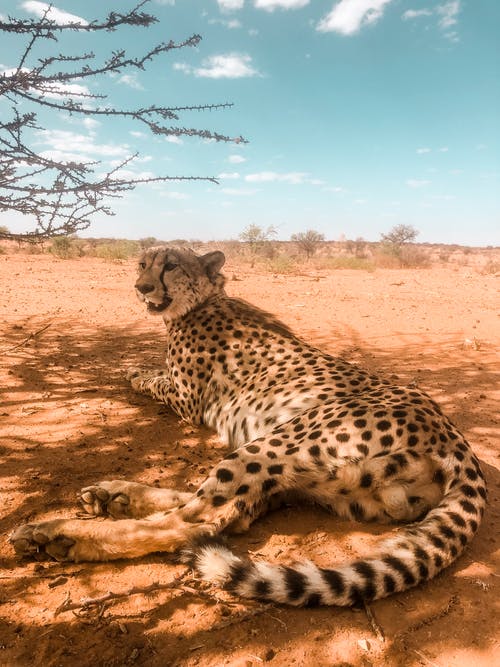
(360, 115)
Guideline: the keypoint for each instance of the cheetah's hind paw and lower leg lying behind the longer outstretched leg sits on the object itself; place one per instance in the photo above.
(120, 499)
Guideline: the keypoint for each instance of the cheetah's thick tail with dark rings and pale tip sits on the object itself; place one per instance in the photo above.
(416, 553)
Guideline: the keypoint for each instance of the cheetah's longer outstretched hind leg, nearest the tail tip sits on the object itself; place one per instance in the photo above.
(237, 490)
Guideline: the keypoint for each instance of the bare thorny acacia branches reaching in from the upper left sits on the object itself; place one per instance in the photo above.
(59, 196)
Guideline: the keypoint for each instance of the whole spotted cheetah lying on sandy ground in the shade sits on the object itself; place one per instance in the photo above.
(299, 423)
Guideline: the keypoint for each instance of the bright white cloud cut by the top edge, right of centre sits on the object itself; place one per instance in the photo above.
(349, 16)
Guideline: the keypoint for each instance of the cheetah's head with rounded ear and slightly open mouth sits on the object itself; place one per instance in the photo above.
(173, 281)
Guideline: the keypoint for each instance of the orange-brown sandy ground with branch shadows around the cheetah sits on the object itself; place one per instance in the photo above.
(68, 418)
